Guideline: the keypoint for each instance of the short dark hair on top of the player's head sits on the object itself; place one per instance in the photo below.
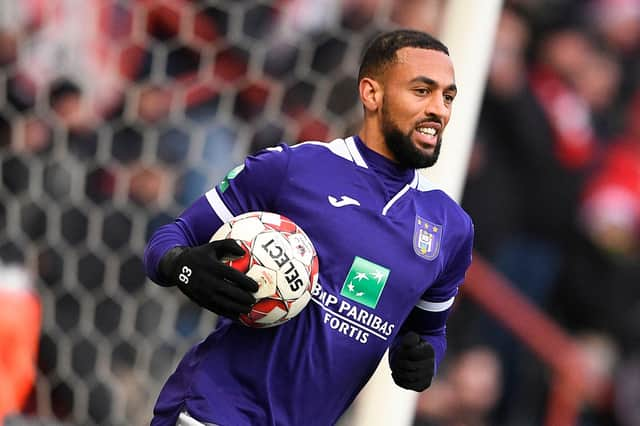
(381, 52)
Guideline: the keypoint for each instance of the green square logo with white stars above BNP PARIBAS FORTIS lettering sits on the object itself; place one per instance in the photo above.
(364, 282)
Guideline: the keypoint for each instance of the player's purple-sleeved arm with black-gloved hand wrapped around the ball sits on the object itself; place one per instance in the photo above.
(180, 253)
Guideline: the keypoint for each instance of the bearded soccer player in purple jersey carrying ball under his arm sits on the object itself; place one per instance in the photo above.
(377, 224)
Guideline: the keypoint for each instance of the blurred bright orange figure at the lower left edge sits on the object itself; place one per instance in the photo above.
(19, 332)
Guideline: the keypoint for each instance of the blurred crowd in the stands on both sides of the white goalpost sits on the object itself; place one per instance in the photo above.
(117, 114)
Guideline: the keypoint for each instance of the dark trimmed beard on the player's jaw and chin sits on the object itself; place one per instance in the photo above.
(402, 147)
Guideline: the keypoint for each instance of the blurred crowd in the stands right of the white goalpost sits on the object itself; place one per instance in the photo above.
(554, 190)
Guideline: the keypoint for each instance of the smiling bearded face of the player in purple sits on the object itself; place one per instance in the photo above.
(418, 94)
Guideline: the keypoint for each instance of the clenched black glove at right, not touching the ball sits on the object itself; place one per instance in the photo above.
(412, 363)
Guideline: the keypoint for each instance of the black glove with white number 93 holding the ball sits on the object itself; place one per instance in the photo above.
(212, 284)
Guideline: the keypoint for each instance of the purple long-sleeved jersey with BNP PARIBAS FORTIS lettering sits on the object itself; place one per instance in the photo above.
(392, 250)
